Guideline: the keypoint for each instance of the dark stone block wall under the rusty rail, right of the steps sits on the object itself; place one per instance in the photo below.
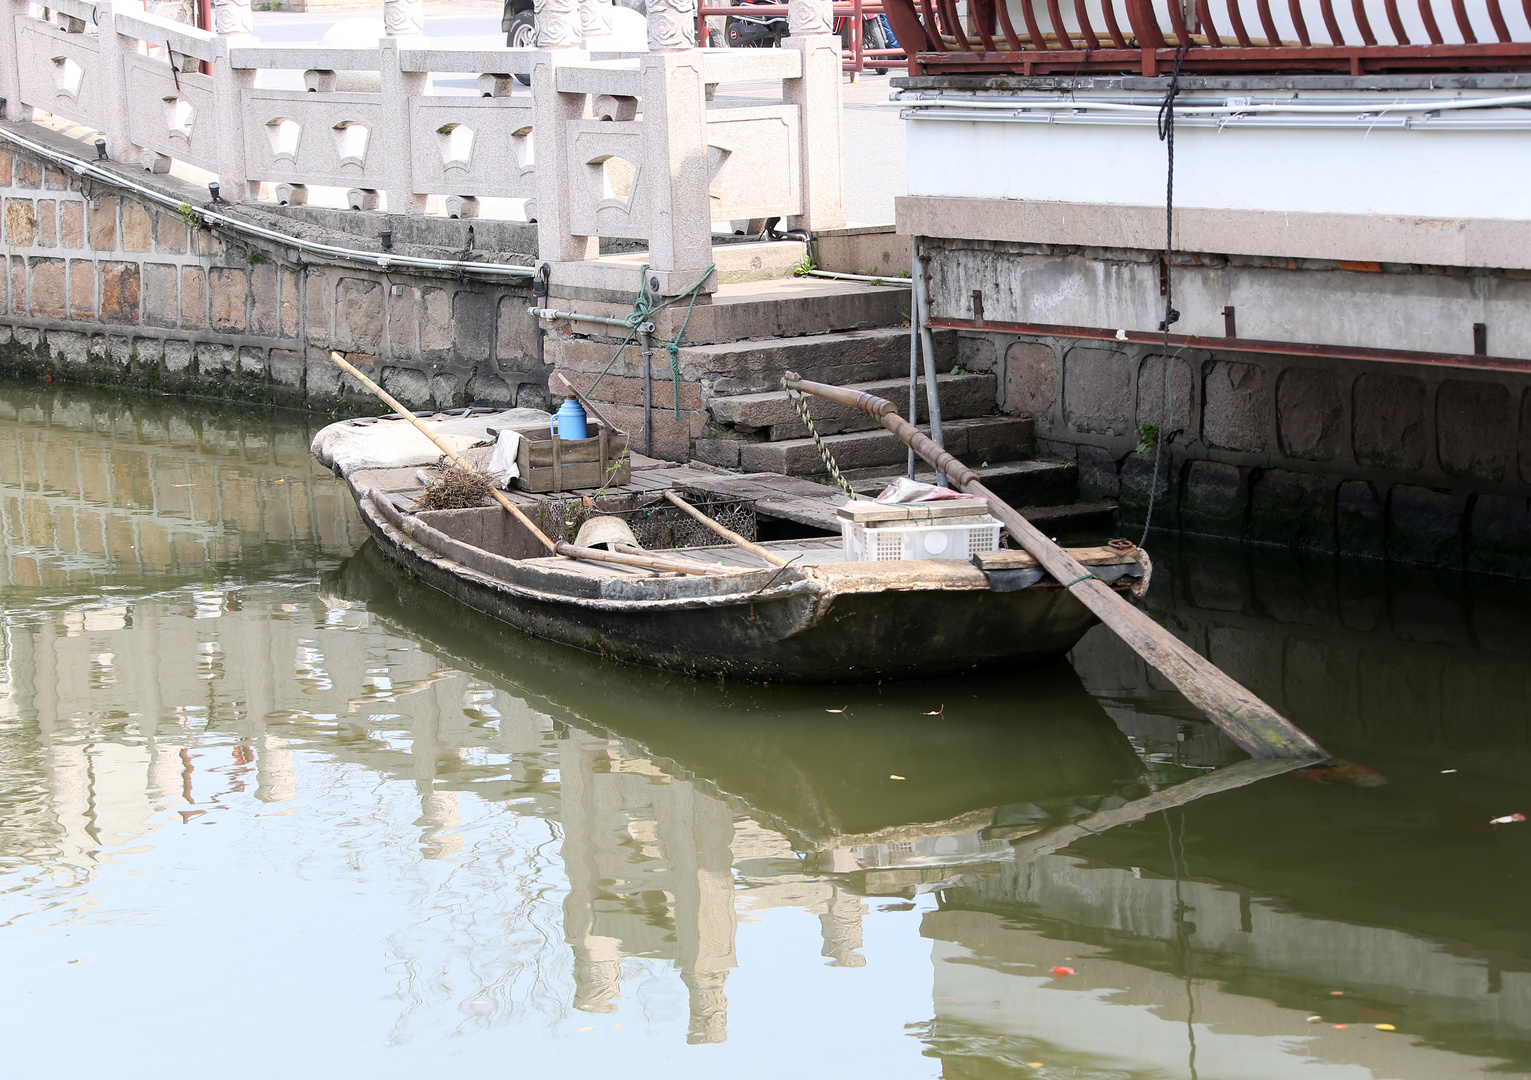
(1417, 463)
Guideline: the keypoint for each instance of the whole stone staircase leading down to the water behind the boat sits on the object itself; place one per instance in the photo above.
(736, 414)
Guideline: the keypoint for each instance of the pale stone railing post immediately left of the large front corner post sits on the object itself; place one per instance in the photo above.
(558, 45)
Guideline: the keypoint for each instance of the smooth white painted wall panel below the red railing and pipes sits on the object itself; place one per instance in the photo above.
(1448, 172)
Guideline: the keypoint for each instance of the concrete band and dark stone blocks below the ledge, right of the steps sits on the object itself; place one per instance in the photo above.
(1411, 462)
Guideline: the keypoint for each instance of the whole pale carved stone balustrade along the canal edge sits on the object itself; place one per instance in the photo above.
(602, 146)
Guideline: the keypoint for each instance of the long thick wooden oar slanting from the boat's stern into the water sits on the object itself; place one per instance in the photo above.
(1244, 718)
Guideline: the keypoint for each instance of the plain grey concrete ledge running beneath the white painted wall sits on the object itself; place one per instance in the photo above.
(1350, 238)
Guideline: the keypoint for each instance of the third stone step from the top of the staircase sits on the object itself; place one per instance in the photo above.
(962, 398)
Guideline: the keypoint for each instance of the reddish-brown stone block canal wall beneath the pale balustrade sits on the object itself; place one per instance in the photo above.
(102, 286)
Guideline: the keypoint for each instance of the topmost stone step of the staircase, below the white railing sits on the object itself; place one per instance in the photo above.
(783, 307)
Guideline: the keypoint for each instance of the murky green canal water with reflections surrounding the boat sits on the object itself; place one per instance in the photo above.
(270, 810)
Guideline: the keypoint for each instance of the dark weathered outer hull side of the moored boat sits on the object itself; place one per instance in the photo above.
(840, 623)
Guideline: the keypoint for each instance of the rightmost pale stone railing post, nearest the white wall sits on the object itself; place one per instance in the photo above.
(811, 30)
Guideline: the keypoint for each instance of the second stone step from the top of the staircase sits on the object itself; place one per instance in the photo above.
(746, 367)
